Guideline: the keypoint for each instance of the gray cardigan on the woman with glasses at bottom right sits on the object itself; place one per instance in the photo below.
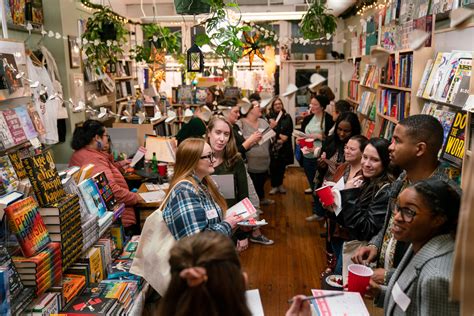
(424, 277)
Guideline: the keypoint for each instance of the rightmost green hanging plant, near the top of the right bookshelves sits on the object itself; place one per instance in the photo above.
(317, 22)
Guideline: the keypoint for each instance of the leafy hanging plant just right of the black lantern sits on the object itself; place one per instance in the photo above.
(224, 32)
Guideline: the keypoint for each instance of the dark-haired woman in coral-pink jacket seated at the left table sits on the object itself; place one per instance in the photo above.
(88, 142)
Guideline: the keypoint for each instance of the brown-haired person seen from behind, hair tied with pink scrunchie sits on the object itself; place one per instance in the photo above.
(207, 280)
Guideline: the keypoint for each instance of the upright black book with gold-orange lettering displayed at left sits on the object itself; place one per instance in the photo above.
(44, 178)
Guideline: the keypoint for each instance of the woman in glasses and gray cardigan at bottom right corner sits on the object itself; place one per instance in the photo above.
(426, 216)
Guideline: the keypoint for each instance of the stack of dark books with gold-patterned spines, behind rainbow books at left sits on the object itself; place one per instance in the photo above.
(63, 221)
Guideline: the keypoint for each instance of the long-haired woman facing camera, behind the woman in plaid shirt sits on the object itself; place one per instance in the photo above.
(228, 161)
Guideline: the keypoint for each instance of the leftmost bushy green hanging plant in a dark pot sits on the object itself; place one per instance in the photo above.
(103, 39)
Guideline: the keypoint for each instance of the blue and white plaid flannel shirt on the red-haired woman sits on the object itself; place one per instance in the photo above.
(185, 212)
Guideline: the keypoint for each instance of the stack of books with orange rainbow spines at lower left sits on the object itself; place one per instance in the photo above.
(42, 270)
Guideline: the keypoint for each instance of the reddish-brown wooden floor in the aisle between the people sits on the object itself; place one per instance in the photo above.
(293, 264)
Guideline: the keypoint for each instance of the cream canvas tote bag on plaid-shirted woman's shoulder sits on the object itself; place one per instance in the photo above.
(153, 252)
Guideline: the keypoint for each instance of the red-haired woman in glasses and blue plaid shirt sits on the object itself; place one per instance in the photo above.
(195, 204)
